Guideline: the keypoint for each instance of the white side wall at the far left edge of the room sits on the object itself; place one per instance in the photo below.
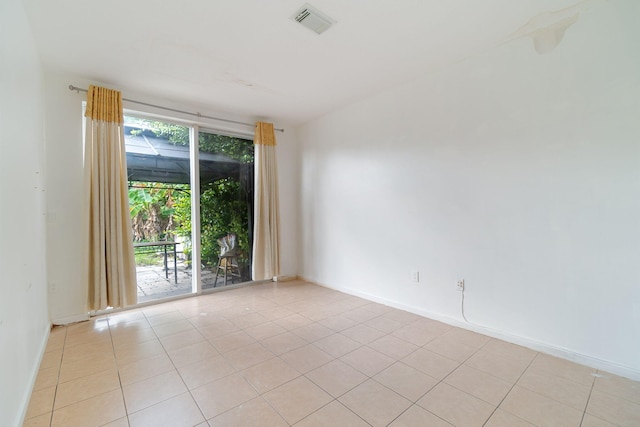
(24, 319)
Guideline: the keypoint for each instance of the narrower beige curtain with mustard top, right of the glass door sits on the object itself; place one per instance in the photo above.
(266, 234)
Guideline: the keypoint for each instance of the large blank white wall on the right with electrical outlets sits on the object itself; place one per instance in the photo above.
(516, 171)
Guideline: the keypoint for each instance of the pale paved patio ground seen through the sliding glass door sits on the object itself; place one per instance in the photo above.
(154, 284)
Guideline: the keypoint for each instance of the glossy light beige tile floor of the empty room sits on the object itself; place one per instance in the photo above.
(292, 353)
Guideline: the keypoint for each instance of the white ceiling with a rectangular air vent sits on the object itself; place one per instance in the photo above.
(247, 57)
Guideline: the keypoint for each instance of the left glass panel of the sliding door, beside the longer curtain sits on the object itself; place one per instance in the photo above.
(158, 166)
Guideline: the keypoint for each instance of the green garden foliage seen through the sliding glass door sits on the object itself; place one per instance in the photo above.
(165, 209)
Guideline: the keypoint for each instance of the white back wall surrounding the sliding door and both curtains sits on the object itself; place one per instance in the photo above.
(64, 198)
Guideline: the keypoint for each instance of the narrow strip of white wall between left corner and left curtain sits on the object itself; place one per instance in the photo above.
(67, 289)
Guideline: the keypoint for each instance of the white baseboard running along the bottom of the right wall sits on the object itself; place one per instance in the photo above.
(582, 359)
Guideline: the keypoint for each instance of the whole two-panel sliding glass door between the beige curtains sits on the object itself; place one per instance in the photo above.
(178, 252)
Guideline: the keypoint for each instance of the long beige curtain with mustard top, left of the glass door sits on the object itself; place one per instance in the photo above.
(111, 264)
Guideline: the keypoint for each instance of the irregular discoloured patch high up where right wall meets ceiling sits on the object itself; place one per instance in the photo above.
(547, 29)
